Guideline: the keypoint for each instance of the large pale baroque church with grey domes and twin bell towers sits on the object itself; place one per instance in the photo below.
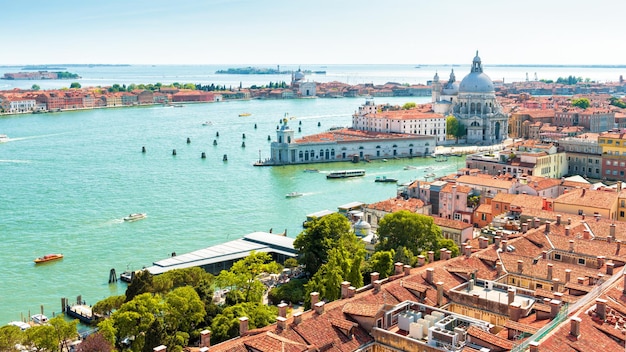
(473, 103)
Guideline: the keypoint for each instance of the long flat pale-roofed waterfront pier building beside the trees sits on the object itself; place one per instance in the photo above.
(222, 256)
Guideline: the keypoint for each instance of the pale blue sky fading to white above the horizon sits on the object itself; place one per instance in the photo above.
(239, 32)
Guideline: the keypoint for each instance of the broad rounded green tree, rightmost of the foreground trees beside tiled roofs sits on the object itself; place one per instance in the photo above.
(416, 232)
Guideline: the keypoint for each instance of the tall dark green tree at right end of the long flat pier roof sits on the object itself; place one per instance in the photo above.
(318, 238)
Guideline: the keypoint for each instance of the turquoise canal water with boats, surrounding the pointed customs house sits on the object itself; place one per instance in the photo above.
(68, 179)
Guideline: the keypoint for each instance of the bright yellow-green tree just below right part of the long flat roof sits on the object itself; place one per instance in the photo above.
(241, 276)
